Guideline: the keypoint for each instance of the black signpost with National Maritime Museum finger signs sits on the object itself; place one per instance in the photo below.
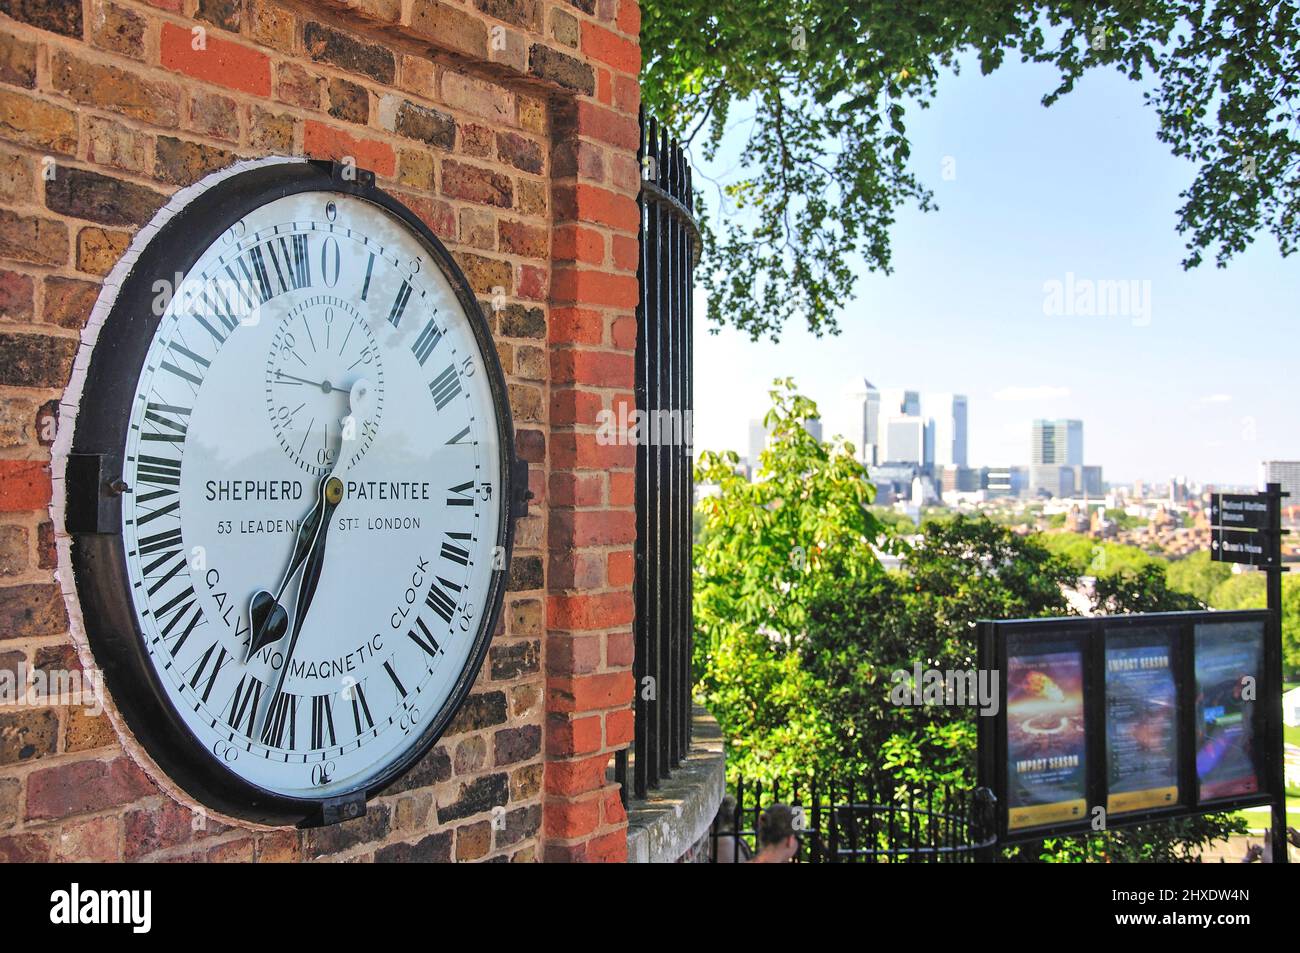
(1247, 530)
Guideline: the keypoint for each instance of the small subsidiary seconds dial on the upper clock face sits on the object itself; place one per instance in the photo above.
(320, 350)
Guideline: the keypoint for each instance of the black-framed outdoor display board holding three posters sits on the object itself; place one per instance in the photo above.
(1115, 721)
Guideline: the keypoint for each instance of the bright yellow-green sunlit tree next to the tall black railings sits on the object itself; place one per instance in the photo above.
(769, 549)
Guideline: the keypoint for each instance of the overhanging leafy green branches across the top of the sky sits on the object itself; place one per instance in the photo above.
(825, 166)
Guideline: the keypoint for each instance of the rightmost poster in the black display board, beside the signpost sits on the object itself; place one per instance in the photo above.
(1229, 673)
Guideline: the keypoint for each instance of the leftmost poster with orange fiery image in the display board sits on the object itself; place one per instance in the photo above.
(1047, 779)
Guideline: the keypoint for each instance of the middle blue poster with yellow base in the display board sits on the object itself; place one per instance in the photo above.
(1142, 721)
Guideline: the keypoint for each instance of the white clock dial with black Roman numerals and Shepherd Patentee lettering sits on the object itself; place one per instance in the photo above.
(240, 422)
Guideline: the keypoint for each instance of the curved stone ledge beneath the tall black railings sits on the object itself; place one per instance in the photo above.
(669, 824)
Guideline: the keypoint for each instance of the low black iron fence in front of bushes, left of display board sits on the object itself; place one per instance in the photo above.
(860, 824)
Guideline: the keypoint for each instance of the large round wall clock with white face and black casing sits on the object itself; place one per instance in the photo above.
(291, 491)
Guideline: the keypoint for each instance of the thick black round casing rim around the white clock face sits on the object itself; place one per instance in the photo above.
(98, 551)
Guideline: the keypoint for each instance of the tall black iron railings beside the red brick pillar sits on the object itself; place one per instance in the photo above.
(665, 488)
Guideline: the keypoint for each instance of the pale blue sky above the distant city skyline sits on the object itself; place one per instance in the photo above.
(1202, 384)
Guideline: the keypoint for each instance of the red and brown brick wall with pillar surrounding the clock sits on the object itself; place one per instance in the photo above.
(510, 128)
